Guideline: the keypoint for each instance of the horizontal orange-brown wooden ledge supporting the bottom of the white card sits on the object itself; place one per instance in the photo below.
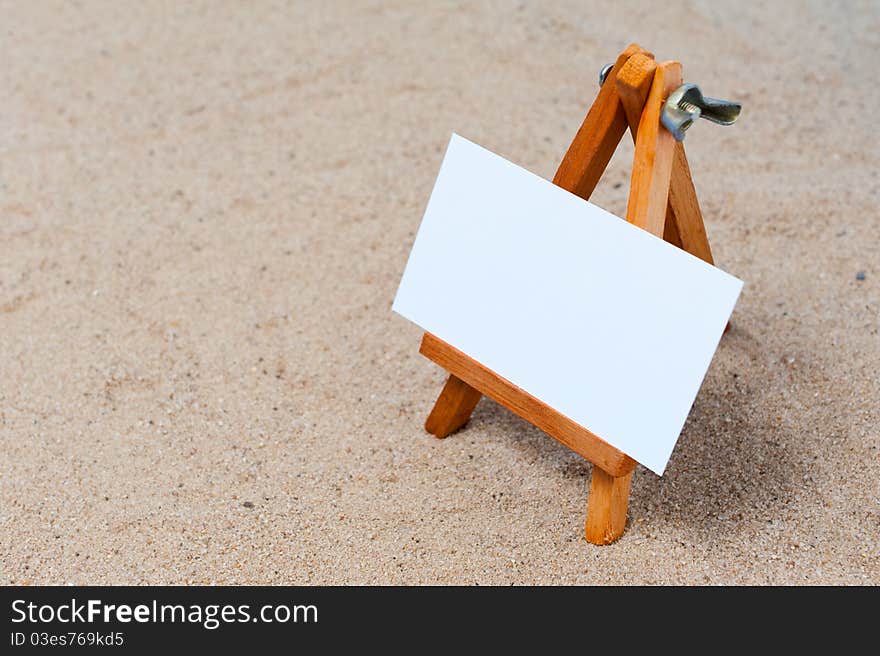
(571, 434)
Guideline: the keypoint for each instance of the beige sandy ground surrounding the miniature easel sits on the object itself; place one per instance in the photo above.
(206, 209)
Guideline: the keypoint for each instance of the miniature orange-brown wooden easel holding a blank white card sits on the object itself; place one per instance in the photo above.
(662, 200)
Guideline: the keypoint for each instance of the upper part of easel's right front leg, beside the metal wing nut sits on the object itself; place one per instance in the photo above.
(654, 154)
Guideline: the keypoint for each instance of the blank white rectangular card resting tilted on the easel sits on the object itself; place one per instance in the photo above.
(607, 324)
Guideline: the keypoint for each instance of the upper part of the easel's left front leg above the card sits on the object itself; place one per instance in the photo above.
(595, 141)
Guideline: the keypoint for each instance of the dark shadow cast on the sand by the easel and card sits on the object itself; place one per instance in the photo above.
(735, 461)
